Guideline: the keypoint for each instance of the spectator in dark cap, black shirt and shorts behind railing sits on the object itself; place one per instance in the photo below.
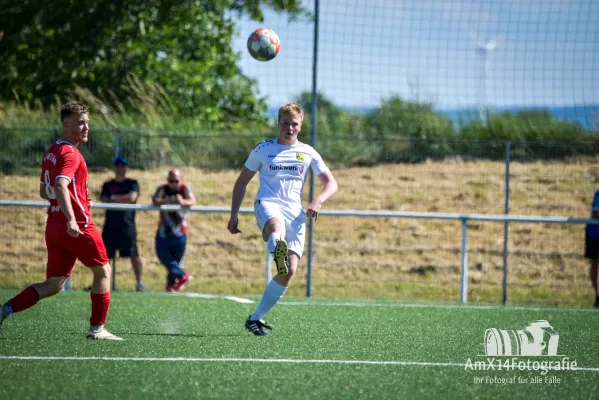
(119, 231)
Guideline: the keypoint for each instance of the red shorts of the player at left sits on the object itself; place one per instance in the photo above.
(64, 250)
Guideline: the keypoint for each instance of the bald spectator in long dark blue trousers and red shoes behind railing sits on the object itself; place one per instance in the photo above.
(171, 237)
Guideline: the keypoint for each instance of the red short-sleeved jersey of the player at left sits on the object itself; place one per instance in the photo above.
(63, 159)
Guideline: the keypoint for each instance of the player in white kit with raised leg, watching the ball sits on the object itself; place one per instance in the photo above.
(283, 163)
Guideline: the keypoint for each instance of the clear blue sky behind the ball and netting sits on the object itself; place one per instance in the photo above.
(372, 49)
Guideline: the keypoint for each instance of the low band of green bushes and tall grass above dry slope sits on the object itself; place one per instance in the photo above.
(399, 131)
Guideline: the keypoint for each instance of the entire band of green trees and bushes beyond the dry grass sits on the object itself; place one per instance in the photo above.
(141, 63)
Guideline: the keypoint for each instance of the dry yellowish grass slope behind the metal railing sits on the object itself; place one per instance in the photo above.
(413, 259)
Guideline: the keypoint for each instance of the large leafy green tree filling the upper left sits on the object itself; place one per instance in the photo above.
(183, 46)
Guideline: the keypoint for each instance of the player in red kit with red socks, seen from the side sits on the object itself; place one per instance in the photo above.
(70, 232)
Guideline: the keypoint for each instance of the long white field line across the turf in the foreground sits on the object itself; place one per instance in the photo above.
(262, 360)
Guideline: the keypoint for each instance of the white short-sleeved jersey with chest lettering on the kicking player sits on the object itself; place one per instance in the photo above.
(283, 170)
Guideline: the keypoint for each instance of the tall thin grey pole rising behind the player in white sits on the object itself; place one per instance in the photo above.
(313, 143)
